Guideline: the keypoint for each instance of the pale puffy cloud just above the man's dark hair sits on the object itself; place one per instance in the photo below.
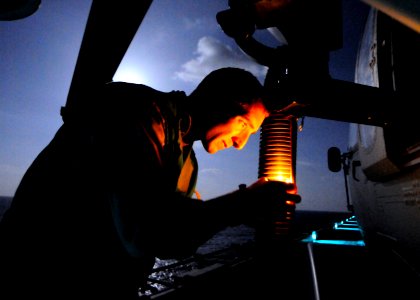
(212, 54)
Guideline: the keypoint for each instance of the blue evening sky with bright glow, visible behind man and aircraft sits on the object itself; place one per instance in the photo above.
(177, 44)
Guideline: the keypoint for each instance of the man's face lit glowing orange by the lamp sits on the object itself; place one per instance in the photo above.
(236, 131)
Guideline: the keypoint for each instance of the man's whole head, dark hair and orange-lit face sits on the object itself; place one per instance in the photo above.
(228, 108)
